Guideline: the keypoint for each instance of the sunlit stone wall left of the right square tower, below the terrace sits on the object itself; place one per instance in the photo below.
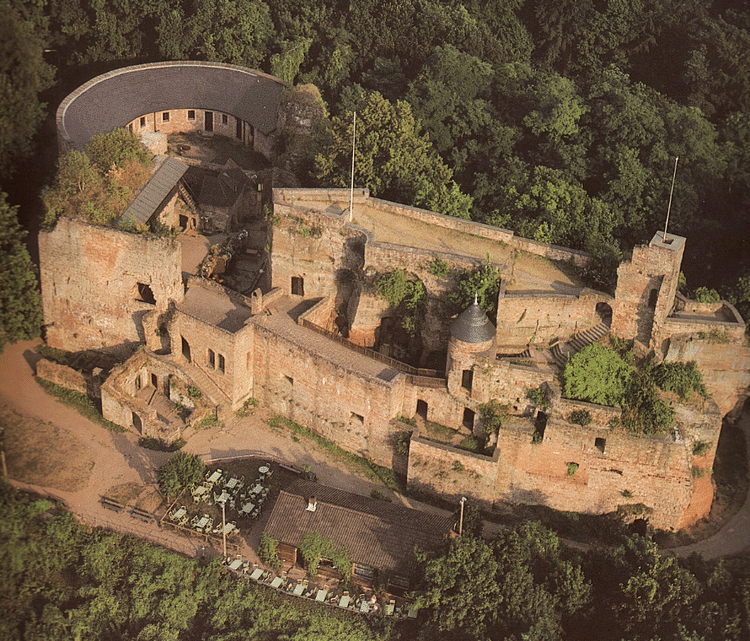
(539, 318)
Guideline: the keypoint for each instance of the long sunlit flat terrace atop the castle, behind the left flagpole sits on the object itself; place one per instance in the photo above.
(525, 272)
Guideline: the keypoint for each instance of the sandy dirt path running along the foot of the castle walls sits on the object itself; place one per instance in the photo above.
(118, 460)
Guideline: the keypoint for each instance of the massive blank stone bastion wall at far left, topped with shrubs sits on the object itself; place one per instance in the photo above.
(80, 263)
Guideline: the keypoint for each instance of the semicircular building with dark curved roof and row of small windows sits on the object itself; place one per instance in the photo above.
(172, 97)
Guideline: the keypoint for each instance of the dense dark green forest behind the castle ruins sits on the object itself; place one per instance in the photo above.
(560, 120)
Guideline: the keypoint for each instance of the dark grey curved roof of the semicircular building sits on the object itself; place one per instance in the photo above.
(115, 98)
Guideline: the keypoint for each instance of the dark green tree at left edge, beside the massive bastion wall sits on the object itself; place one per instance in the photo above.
(20, 301)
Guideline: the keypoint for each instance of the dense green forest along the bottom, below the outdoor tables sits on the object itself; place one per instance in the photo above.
(59, 580)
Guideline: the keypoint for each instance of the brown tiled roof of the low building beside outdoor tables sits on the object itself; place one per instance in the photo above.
(377, 533)
